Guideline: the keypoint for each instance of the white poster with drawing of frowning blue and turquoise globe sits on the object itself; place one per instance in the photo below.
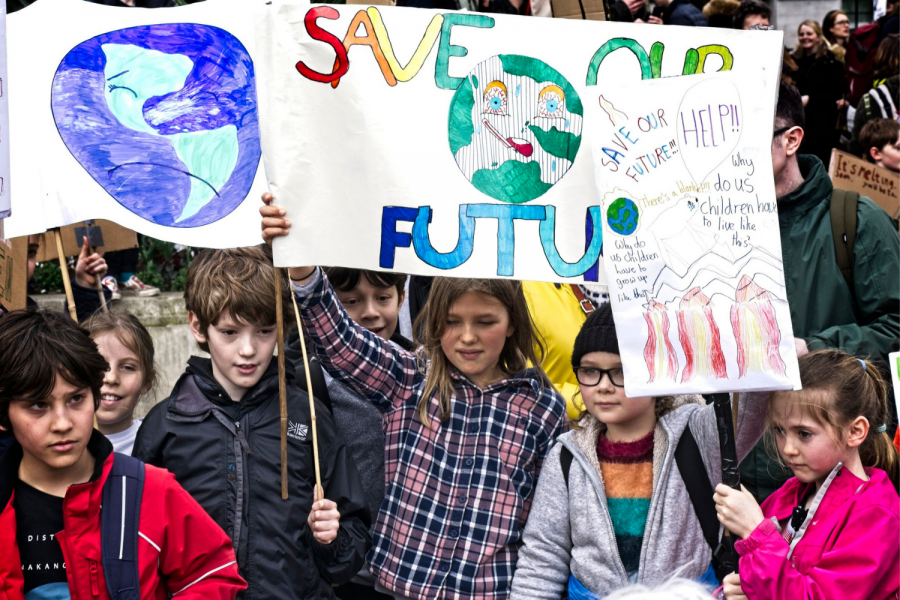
(147, 118)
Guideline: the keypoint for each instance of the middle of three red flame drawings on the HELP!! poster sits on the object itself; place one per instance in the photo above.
(700, 338)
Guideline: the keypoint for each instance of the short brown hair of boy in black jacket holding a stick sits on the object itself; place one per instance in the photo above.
(239, 281)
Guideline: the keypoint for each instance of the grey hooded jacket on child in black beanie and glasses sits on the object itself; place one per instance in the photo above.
(570, 529)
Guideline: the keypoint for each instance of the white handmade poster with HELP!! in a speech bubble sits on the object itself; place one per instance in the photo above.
(691, 235)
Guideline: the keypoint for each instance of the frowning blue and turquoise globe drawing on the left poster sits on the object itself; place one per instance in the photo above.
(164, 117)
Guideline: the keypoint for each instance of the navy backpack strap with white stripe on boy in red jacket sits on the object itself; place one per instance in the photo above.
(119, 520)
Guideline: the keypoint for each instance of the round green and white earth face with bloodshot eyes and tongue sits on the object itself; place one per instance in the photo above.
(514, 127)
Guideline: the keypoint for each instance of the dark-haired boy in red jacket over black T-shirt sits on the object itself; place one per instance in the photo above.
(52, 480)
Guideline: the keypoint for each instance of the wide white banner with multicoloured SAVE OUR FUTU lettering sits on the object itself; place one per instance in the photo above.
(454, 143)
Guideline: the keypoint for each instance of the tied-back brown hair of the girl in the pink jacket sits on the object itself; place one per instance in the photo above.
(838, 388)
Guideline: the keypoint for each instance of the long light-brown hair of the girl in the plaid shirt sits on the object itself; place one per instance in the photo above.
(518, 351)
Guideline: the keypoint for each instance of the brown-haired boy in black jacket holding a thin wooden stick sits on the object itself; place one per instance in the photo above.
(219, 434)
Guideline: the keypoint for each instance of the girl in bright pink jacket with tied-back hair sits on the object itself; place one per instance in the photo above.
(833, 530)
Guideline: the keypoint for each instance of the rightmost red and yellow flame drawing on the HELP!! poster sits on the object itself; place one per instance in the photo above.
(756, 330)
